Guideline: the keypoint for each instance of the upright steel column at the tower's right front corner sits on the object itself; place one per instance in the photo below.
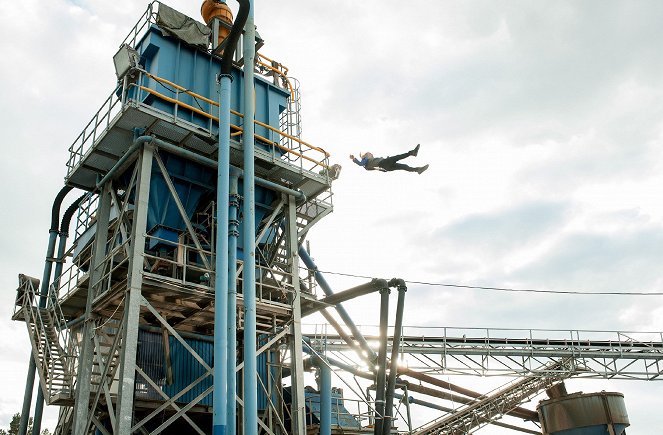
(298, 409)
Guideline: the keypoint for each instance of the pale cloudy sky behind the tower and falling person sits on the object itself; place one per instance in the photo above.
(542, 123)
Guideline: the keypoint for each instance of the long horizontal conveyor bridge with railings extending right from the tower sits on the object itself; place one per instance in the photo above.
(492, 351)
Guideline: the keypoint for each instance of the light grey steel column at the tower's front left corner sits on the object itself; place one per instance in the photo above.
(127, 371)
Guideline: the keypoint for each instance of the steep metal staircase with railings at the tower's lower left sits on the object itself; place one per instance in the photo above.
(53, 352)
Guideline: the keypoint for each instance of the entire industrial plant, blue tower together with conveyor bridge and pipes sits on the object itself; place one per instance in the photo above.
(177, 307)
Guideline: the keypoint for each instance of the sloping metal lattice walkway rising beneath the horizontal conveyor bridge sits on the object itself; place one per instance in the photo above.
(494, 406)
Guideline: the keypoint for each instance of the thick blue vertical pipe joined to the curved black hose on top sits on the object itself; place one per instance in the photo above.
(221, 264)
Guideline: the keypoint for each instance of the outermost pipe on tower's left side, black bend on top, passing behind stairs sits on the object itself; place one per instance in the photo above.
(43, 292)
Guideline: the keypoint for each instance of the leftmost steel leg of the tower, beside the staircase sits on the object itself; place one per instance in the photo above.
(84, 375)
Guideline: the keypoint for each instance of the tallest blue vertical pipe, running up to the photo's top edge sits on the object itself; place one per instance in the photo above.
(250, 376)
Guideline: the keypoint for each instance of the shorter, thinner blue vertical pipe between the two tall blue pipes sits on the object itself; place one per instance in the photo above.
(233, 232)
